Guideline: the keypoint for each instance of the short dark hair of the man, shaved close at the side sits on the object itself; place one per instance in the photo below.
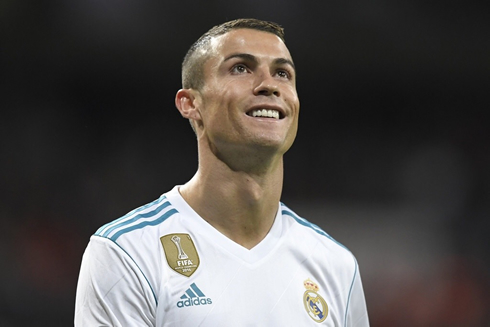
(192, 66)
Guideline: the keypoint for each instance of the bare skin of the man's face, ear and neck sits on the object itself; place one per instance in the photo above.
(239, 180)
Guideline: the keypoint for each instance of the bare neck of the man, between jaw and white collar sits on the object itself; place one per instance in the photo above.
(240, 204)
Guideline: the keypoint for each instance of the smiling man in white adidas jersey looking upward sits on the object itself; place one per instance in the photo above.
(221, 250)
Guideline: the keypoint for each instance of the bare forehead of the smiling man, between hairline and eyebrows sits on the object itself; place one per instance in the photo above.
(257, 43)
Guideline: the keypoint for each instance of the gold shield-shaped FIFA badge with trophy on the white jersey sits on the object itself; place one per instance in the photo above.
(181, 253)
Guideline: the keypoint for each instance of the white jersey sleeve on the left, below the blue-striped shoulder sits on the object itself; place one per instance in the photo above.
(112, 291)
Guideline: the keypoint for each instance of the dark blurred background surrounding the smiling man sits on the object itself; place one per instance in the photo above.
(391, 159)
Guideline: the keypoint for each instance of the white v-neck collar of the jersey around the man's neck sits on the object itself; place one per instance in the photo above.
(202, 227)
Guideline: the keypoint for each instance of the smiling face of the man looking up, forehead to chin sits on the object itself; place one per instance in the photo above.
(249, 98)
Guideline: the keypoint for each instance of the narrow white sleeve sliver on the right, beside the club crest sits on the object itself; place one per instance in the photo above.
(356, 315)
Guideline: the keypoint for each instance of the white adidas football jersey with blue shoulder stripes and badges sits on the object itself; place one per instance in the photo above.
(163, 265)
